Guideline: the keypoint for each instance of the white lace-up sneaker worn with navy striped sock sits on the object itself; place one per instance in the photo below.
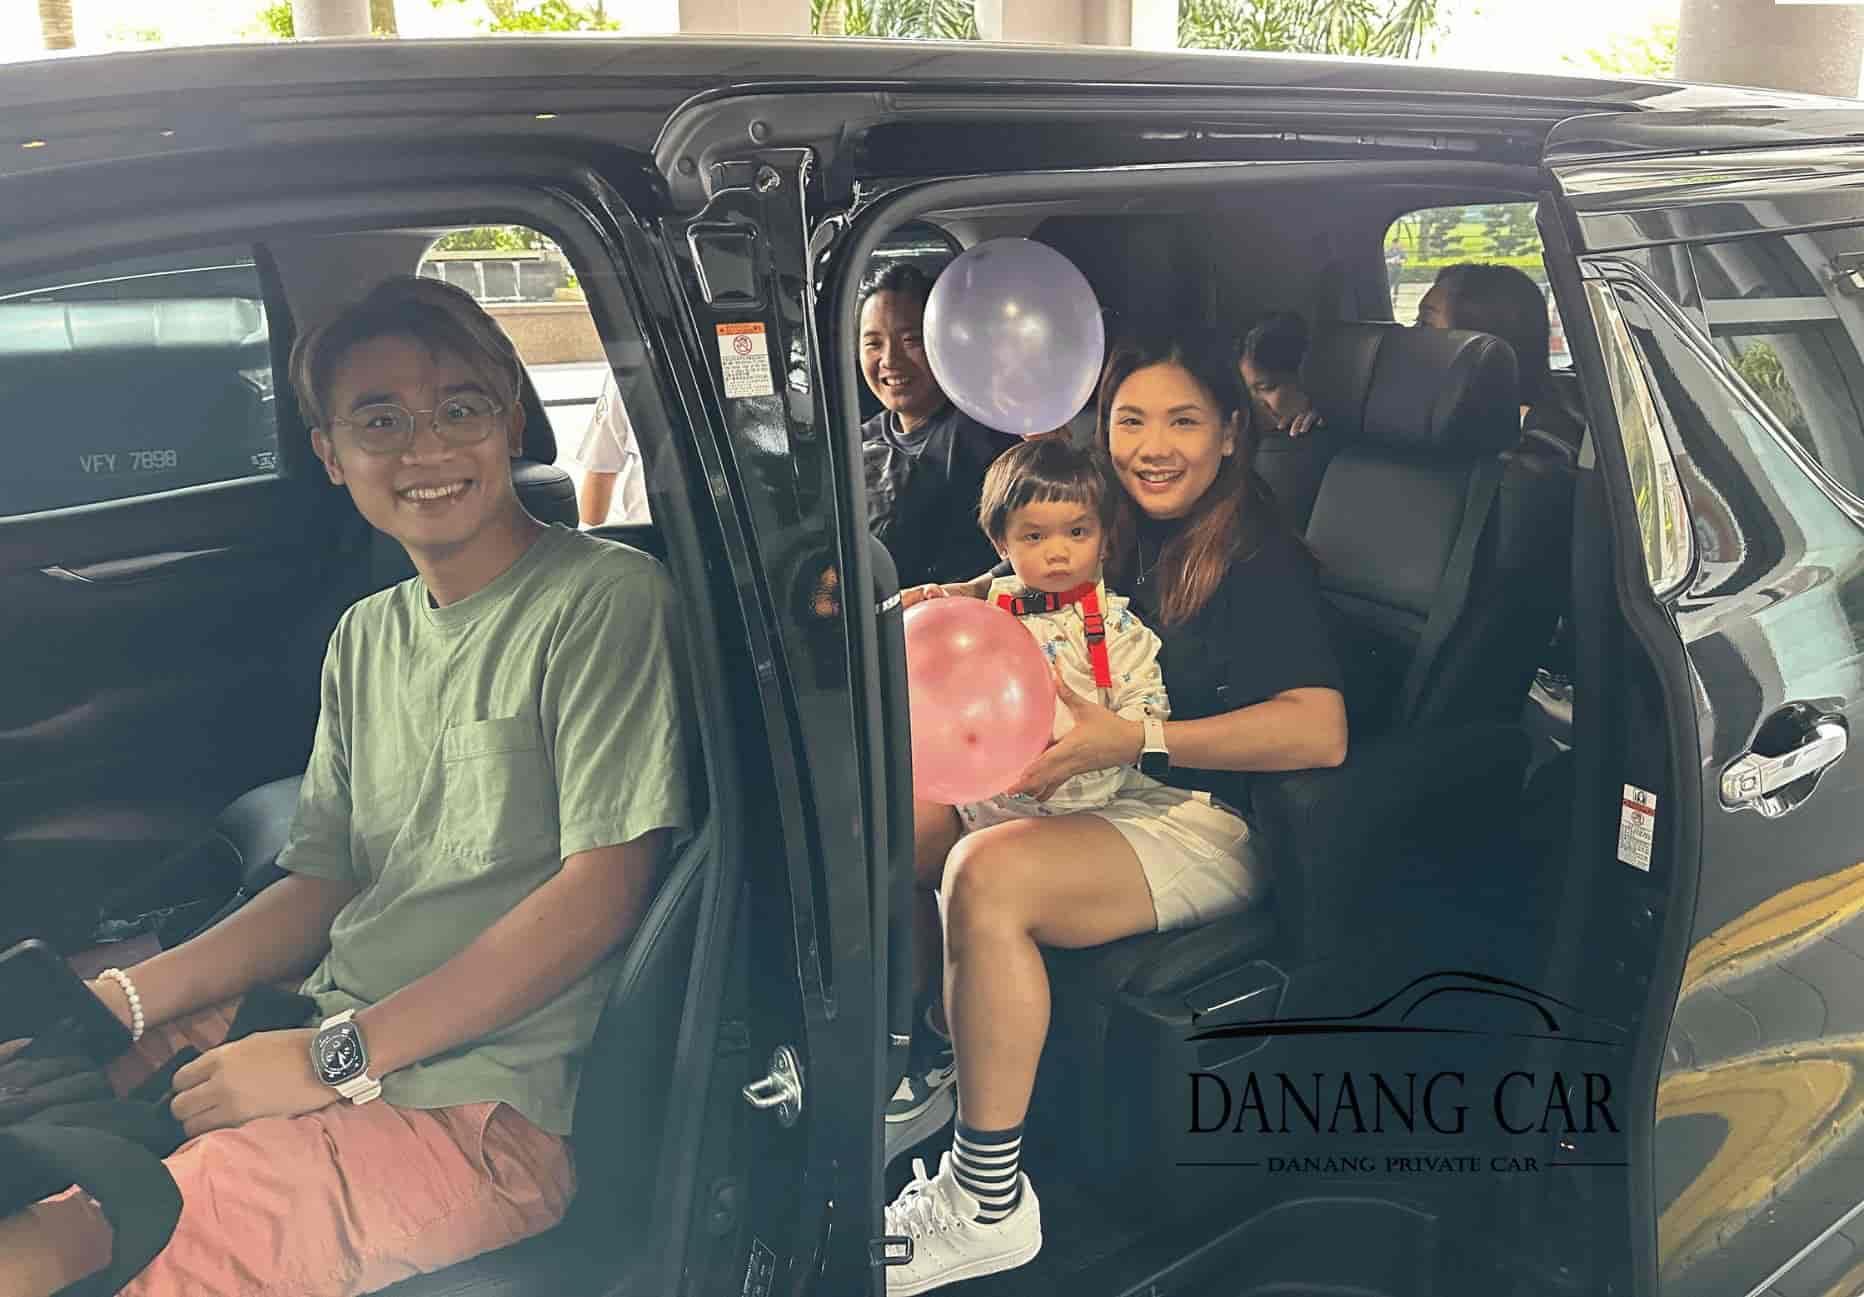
(950, 1246)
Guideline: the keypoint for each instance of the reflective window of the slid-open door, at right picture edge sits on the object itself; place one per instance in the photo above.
(1789, 316)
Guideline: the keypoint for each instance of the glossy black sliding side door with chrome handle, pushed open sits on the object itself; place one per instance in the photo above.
(1721, 526)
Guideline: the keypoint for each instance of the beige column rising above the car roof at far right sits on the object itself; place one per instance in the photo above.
(1803, 48)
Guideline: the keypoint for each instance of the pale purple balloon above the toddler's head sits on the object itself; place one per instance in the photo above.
(1015, 336)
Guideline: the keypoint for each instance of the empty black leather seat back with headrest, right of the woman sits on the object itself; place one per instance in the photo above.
(1412, 416)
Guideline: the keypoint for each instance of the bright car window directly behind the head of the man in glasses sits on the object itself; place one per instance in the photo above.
(530, 288)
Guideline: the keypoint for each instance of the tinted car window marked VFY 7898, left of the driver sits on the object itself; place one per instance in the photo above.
(135, 377)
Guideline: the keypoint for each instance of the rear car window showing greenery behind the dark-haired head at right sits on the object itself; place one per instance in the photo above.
(1423, 243)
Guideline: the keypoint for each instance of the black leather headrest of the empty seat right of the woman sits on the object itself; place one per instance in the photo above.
(1421, 390)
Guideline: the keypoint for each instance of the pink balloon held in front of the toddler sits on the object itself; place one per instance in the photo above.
(983, 700)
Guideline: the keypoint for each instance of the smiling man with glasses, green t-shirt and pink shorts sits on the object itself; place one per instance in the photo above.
(497, 780)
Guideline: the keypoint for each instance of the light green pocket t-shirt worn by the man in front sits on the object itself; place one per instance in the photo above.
(461, 756)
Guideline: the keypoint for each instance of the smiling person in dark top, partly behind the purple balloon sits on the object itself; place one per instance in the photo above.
(925, 457)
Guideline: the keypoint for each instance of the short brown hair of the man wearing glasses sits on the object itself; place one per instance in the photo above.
(433, 314)
